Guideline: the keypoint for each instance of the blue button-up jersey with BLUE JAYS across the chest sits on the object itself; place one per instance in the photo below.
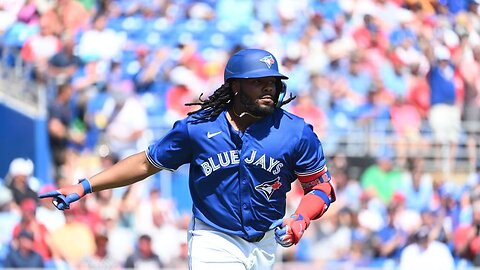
(238, 181)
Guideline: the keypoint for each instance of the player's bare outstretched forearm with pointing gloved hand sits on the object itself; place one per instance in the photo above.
(127, 171)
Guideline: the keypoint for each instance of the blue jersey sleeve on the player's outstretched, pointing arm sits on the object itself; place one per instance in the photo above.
(173, 150)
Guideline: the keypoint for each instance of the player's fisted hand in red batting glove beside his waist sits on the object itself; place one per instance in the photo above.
(288, 231)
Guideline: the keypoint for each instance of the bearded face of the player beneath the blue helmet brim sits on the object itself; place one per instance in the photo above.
(257, 95)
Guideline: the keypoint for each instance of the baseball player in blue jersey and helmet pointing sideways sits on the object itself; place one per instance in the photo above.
(244, 153)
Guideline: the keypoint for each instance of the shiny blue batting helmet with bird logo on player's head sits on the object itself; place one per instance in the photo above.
(252, 63)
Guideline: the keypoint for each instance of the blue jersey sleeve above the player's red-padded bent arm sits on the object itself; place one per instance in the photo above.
(310, 159)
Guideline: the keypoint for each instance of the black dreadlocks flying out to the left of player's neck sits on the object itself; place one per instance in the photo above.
(211, 107)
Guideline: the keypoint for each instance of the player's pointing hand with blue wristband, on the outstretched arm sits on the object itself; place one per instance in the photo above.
(64, 196)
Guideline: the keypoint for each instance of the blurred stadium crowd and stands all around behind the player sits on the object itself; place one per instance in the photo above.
(391, 87)
